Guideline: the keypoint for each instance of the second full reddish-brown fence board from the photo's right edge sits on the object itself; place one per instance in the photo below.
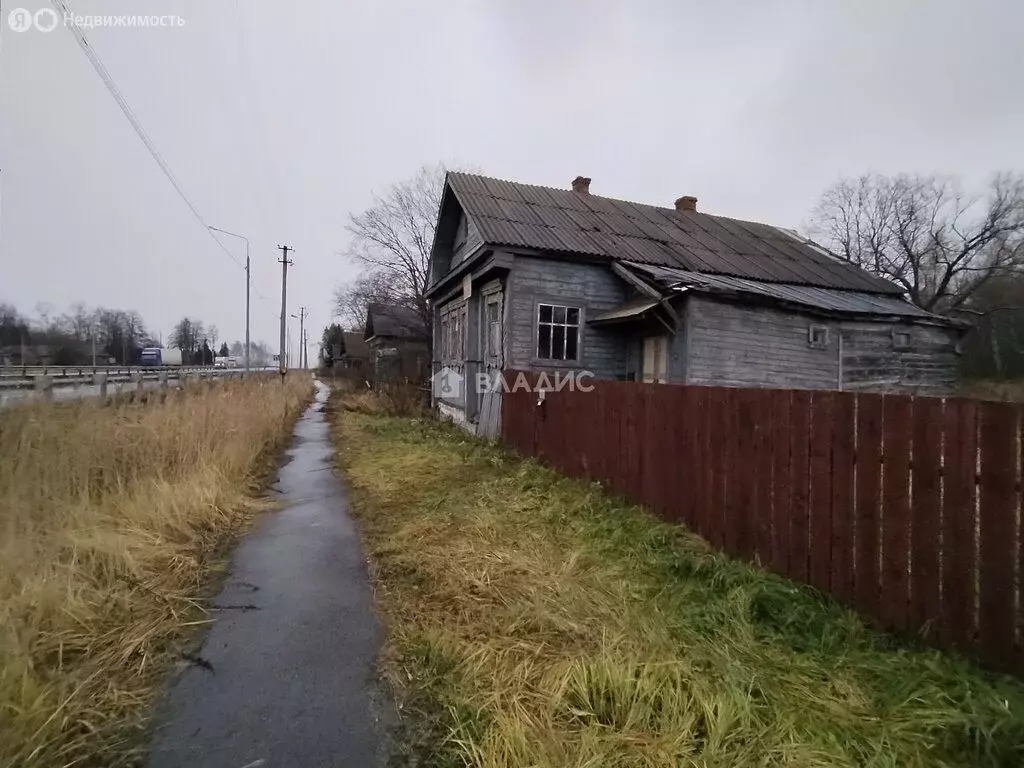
(957, 627)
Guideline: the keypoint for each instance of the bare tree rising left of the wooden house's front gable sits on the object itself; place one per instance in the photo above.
(394, 237)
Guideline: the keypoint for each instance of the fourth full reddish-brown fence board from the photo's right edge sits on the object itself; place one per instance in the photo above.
(895, 510)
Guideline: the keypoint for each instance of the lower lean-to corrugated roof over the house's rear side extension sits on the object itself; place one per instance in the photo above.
(832, 301)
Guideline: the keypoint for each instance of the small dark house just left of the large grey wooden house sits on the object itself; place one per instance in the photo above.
(399, 345)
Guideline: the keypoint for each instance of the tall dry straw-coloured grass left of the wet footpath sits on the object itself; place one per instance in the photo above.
(112, 521)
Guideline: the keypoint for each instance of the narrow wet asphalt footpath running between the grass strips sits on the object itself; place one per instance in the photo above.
(293, 648)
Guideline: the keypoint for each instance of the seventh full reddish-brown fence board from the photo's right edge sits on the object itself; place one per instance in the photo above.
(823, 405)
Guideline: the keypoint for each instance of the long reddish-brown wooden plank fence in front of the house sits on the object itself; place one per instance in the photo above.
(906, 508)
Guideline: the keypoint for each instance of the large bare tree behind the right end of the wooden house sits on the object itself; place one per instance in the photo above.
(924, 234)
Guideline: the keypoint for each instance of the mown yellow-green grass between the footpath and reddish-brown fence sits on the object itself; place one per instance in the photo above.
(535, 622)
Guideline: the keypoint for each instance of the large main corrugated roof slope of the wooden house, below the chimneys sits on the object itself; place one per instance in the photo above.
(529, 217)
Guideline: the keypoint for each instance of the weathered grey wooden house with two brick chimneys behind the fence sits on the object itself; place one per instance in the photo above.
(534, 278)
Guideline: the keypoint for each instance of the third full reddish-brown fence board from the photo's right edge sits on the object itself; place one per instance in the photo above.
(926, 516)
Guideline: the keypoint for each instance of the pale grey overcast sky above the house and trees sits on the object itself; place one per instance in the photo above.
(280, 119)
